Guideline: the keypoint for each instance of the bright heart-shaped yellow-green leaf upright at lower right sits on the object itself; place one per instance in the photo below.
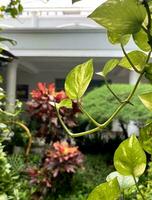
(129, 158)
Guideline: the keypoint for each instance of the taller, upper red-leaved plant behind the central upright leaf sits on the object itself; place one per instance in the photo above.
(43, 112)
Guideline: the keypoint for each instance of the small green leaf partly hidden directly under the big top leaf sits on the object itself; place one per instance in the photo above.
(116, 38)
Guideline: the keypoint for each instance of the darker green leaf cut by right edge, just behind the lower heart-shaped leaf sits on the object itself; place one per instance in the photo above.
(146, 138)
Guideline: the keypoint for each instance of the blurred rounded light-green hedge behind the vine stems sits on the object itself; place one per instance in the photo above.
(100, 103)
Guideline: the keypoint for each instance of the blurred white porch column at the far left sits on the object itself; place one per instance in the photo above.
(11, 77)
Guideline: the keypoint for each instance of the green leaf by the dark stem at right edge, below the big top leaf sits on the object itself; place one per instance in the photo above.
(141, 40)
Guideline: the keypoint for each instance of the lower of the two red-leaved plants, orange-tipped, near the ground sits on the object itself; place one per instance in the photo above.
(60, 161)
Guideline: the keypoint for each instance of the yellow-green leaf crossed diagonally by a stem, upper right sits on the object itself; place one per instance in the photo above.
(138, 58)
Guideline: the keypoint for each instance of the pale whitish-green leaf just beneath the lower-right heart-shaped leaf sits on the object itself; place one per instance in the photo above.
(124, 181)
